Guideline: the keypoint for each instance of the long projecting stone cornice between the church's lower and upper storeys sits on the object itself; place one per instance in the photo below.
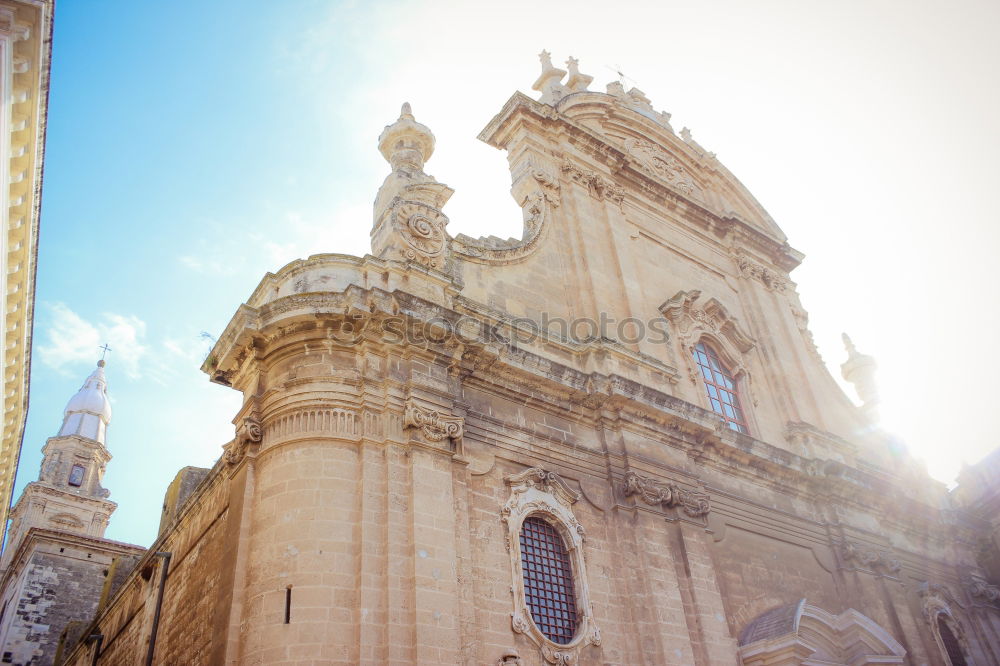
(485, 355)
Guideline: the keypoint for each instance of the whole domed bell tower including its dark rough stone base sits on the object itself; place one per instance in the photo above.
(57, 566)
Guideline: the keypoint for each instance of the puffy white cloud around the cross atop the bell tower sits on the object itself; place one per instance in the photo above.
(70, 340)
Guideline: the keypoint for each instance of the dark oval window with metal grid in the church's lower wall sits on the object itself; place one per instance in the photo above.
(549, 591)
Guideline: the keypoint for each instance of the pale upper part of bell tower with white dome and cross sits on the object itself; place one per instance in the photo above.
(68, 495)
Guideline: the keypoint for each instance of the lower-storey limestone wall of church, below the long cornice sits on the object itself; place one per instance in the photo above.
(385, 539)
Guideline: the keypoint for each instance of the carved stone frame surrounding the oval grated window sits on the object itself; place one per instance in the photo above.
(537, 492)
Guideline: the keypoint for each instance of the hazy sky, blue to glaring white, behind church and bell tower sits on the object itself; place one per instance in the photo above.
(194, 146)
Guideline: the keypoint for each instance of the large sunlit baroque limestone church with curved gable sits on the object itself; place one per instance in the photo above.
(611, 441)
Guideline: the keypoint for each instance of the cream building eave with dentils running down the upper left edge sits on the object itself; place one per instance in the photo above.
(25, 50)
